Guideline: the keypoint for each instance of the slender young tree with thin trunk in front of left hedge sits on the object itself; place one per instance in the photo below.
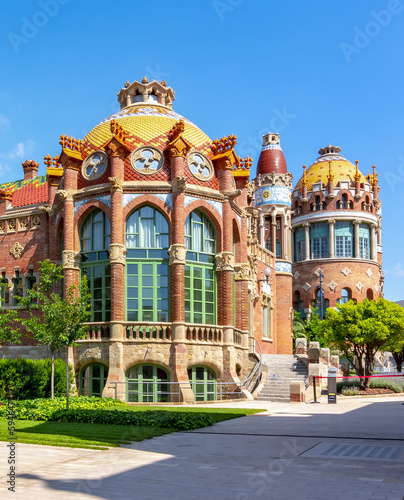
(60, 322)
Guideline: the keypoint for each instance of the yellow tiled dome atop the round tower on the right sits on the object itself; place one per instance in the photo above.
(342, 169)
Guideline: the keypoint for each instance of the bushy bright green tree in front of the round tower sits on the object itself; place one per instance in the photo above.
(362, 329)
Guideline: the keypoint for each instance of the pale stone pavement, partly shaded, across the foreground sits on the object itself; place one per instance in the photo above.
(350, 451)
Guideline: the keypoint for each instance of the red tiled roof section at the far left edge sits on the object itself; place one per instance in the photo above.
(28, 192)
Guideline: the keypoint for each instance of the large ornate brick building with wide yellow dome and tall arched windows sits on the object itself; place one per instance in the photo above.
(162, 221)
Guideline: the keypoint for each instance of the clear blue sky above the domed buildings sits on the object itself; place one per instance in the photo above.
(317, 72)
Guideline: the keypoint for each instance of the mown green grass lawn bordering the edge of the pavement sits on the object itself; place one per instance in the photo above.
(101, 437)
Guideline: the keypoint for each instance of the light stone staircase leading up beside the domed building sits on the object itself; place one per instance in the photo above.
(281, 369)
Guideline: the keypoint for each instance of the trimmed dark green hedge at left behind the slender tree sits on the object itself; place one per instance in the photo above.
(30, 379)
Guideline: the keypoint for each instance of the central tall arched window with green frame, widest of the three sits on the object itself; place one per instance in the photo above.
(147, 282)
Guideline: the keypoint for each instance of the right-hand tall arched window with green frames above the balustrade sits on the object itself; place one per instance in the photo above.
(200, 274)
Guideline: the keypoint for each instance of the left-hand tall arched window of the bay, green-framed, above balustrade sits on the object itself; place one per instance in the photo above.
(94, 248)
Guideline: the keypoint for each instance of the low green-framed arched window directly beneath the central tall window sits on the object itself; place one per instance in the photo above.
(147, 384)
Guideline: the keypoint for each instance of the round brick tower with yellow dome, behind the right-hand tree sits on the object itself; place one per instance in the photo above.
(336, 227)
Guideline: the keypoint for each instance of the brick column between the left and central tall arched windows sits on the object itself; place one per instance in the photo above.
(117, 250)
